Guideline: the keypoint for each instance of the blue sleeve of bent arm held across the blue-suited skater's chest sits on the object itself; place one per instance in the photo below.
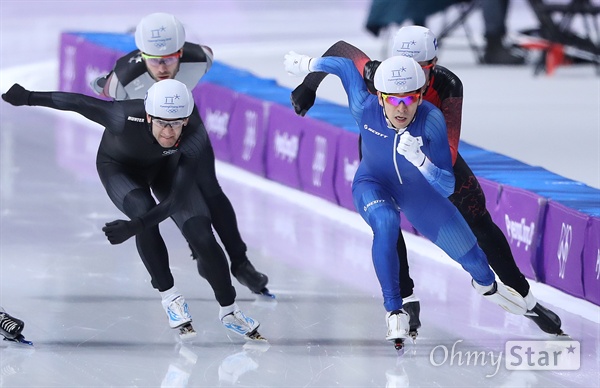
(437, 168)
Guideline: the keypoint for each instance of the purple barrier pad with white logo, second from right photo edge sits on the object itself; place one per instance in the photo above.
(562, 248)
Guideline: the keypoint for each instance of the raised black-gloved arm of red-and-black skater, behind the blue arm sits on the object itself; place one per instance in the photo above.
(303, 97)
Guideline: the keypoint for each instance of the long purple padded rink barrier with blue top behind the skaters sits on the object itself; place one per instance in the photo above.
(551, 223)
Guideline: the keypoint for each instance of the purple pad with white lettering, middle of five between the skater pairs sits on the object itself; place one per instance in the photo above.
(284, 133)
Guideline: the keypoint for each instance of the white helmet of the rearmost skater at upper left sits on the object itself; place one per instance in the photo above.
(159, 34)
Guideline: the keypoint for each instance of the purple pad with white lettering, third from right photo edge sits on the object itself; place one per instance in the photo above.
(519, 215)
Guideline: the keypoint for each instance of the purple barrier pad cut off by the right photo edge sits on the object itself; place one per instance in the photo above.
(591, 261)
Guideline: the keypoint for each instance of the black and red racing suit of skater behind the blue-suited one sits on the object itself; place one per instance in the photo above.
(446, 92)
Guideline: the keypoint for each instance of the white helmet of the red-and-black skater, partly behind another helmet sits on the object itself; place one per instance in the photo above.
(416, 42)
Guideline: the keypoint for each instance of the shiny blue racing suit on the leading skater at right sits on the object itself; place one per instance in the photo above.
(386, 183)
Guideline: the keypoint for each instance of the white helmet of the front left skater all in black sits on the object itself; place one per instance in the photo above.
(169, 99)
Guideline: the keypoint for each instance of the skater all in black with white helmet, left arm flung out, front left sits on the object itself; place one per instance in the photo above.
(157, 146)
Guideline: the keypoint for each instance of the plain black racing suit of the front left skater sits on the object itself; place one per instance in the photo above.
(131, 164)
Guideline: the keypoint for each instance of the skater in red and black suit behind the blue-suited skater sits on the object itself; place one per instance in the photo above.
(444, 90)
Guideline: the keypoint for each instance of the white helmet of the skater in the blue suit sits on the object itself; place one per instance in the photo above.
(399, 74)
